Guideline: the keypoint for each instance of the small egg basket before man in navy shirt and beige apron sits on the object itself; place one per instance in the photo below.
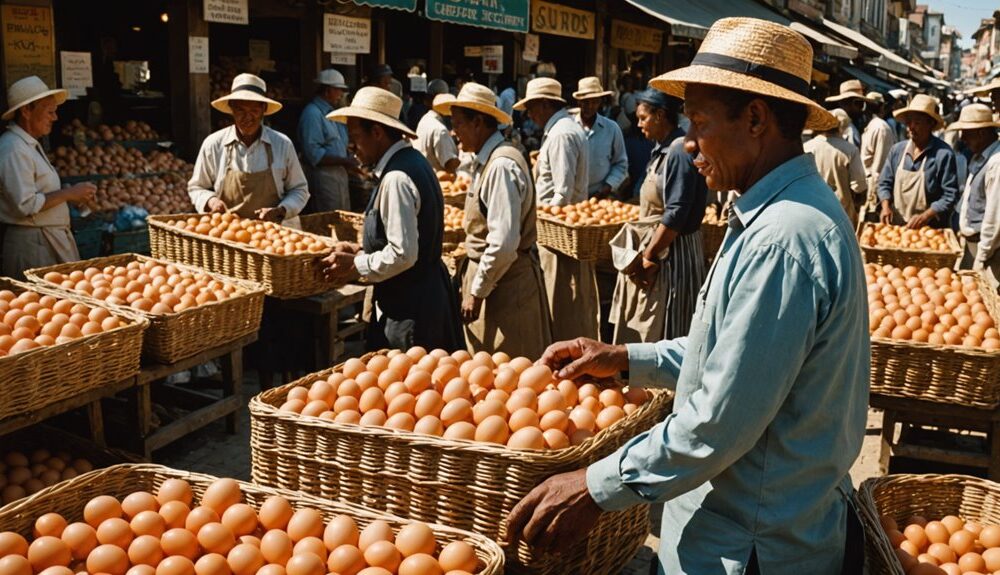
(901, 246)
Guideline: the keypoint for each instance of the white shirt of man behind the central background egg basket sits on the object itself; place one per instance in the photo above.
(562, 164)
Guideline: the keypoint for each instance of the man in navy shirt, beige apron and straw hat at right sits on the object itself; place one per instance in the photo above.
(919, 182)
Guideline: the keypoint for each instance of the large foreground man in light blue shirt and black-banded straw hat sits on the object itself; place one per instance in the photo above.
(753, 464)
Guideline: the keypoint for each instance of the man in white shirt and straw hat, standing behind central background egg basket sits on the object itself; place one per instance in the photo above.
(561, 174)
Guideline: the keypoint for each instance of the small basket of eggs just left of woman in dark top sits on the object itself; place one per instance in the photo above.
(582, 231)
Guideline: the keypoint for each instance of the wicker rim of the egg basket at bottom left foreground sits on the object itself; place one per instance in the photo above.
(69, 497)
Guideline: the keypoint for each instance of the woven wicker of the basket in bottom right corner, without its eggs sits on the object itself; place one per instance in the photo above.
(933, 496)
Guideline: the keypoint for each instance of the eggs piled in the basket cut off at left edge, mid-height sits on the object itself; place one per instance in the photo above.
(31, 320)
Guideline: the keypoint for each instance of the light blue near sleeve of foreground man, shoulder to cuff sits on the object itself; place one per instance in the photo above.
(771, 313)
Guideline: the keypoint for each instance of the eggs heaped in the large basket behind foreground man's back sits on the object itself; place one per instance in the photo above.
(928, 306)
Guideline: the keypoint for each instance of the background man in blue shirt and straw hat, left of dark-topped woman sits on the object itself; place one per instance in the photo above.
(607, 164)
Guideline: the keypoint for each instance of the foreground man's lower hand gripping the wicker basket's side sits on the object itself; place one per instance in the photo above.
(556, 515)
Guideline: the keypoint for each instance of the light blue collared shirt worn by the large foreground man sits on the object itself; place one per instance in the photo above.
(771, 393)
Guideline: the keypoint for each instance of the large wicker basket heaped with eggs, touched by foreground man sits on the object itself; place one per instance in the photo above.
(453, 439)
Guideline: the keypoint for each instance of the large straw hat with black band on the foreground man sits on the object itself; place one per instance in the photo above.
(754, 56)
